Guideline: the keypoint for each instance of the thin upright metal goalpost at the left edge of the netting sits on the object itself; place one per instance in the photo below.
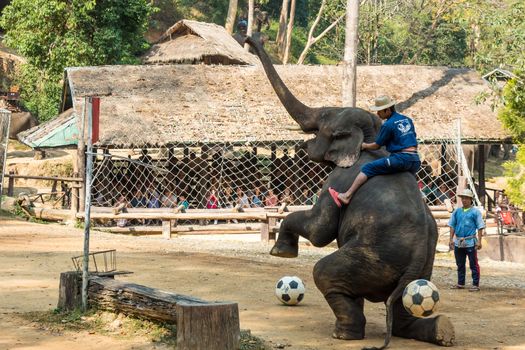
(89, 172)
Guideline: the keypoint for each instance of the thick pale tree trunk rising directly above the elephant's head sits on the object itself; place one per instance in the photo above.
(350, 58)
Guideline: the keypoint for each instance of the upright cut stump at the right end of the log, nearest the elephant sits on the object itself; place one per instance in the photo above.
(213, 326)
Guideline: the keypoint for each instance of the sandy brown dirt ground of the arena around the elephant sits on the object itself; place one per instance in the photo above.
(234, 268)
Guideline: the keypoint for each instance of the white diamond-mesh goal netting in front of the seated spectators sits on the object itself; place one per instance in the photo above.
(249, 174)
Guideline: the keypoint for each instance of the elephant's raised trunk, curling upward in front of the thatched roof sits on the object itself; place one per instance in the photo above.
(305, 116)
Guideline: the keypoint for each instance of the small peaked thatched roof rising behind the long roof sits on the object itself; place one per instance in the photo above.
(193, 42)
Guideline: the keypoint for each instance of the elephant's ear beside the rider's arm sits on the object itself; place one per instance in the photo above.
(345, 146)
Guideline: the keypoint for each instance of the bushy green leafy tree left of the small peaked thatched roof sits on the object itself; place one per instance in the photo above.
(54, 34)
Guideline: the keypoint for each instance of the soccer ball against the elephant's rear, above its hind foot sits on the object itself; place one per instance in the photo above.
(420, 298)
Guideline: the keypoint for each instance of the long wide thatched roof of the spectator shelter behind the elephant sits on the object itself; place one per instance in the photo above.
(175, 104)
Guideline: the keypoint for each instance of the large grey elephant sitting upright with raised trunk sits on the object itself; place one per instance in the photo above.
(386, 235)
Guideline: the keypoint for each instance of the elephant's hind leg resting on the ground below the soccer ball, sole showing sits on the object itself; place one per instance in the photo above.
(437, 330)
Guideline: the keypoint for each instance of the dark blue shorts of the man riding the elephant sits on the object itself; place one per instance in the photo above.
(395, 163)
